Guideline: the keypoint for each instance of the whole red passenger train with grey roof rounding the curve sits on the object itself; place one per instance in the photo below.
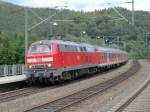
(52, 61)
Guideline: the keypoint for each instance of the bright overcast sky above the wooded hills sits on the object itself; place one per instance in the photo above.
(86, 5)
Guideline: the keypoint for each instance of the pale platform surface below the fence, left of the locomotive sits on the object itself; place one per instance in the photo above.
(11, 79)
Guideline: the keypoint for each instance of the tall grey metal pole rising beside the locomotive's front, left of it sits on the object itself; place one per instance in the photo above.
(26, 33)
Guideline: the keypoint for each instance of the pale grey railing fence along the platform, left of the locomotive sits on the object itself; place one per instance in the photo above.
(11, 70)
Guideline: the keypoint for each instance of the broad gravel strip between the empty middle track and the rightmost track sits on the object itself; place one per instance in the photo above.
(105, 101)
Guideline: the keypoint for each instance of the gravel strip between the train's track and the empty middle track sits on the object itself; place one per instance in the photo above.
(28, 102)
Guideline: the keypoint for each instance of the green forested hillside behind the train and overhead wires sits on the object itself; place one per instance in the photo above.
(106, 24)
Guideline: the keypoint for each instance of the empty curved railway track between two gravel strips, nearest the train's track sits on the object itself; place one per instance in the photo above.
(70, 100)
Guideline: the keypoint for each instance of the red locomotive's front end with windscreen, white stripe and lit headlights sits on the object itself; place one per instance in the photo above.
(40, 60)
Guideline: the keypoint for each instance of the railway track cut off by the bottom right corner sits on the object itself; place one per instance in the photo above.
(122, 106)
